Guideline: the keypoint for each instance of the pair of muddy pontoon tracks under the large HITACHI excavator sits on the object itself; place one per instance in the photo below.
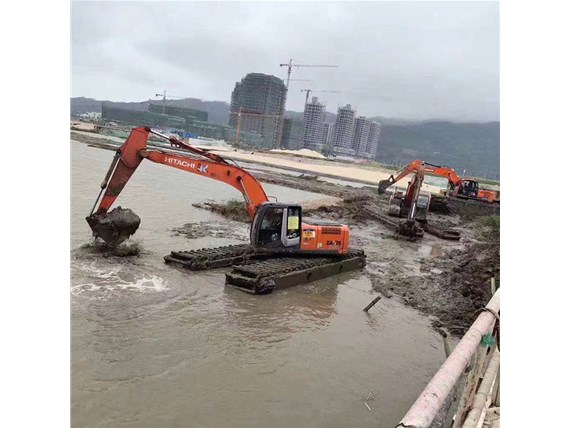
(258, 271)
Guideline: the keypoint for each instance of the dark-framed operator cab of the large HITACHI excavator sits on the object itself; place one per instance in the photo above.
(277, 225)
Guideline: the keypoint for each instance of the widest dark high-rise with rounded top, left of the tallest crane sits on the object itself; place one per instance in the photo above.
(259, 98)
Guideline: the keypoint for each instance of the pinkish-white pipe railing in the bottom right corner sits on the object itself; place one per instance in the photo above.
(480, 379)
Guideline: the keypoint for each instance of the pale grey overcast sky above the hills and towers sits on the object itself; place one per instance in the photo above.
(415, 60)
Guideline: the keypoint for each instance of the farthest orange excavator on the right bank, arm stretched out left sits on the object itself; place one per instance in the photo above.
(461, 188)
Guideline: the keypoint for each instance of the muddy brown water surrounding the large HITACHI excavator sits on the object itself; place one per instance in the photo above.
(153, 346)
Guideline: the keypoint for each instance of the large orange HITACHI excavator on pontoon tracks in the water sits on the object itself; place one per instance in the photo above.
(283, 251)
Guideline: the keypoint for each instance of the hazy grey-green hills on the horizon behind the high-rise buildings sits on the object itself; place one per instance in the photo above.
(473, 147)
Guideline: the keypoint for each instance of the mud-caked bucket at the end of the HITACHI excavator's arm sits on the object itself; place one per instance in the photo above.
(114, 226)
